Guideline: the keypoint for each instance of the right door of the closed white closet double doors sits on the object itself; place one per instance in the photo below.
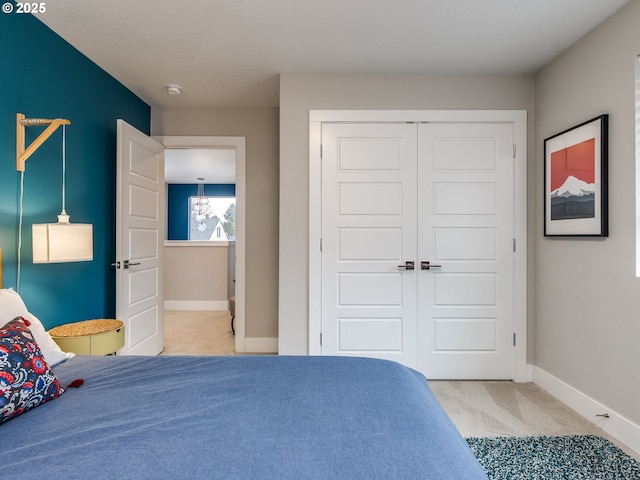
(465, 218)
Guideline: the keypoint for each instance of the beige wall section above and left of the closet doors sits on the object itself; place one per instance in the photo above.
(301, 93)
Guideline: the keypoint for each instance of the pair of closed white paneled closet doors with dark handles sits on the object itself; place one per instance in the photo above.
(417, 246)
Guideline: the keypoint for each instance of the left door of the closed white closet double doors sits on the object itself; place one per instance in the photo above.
(369, 232)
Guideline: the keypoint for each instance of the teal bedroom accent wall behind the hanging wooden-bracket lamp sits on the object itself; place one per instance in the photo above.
(43, 76)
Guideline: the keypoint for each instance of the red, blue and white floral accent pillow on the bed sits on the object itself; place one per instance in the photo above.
(25, 378)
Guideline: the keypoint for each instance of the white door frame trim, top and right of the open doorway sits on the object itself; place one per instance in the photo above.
(237, 145)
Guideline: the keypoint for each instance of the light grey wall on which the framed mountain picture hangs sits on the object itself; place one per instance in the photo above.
(587, 298)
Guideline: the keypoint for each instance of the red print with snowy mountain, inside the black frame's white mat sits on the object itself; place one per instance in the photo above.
(573, 188)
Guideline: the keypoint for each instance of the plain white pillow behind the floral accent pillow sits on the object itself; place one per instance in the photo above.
(12, 306)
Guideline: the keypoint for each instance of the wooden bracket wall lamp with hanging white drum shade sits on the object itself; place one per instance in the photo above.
(53, 242)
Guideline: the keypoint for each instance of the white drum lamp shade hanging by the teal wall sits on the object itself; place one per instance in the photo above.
(62, 242)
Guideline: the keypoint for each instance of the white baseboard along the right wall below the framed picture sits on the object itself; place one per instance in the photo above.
(616, 425)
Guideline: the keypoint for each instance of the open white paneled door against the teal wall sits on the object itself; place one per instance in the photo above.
(139, 240)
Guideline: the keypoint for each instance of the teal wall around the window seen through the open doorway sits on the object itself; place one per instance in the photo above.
(178, 205)
